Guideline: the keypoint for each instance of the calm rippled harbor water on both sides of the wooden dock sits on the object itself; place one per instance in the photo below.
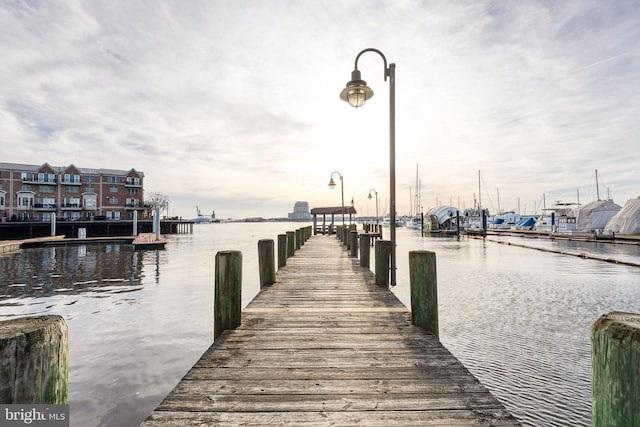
(519, 319)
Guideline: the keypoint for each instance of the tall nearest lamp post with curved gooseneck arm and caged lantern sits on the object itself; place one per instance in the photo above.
(356, 93)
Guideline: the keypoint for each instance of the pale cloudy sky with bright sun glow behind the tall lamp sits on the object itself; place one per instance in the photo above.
(233, 105)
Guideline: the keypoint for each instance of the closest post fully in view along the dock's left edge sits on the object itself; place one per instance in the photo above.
(228, 292)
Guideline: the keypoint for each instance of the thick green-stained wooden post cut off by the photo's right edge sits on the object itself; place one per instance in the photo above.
(615, 369)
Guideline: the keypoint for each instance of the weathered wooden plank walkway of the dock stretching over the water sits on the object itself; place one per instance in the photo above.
(325, 346)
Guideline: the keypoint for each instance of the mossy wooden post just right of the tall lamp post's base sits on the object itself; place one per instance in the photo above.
(424, 290)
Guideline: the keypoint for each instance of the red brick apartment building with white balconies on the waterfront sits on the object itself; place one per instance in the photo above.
(32, 192)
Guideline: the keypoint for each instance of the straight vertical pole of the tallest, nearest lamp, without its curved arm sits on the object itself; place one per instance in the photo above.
(392, 167)
